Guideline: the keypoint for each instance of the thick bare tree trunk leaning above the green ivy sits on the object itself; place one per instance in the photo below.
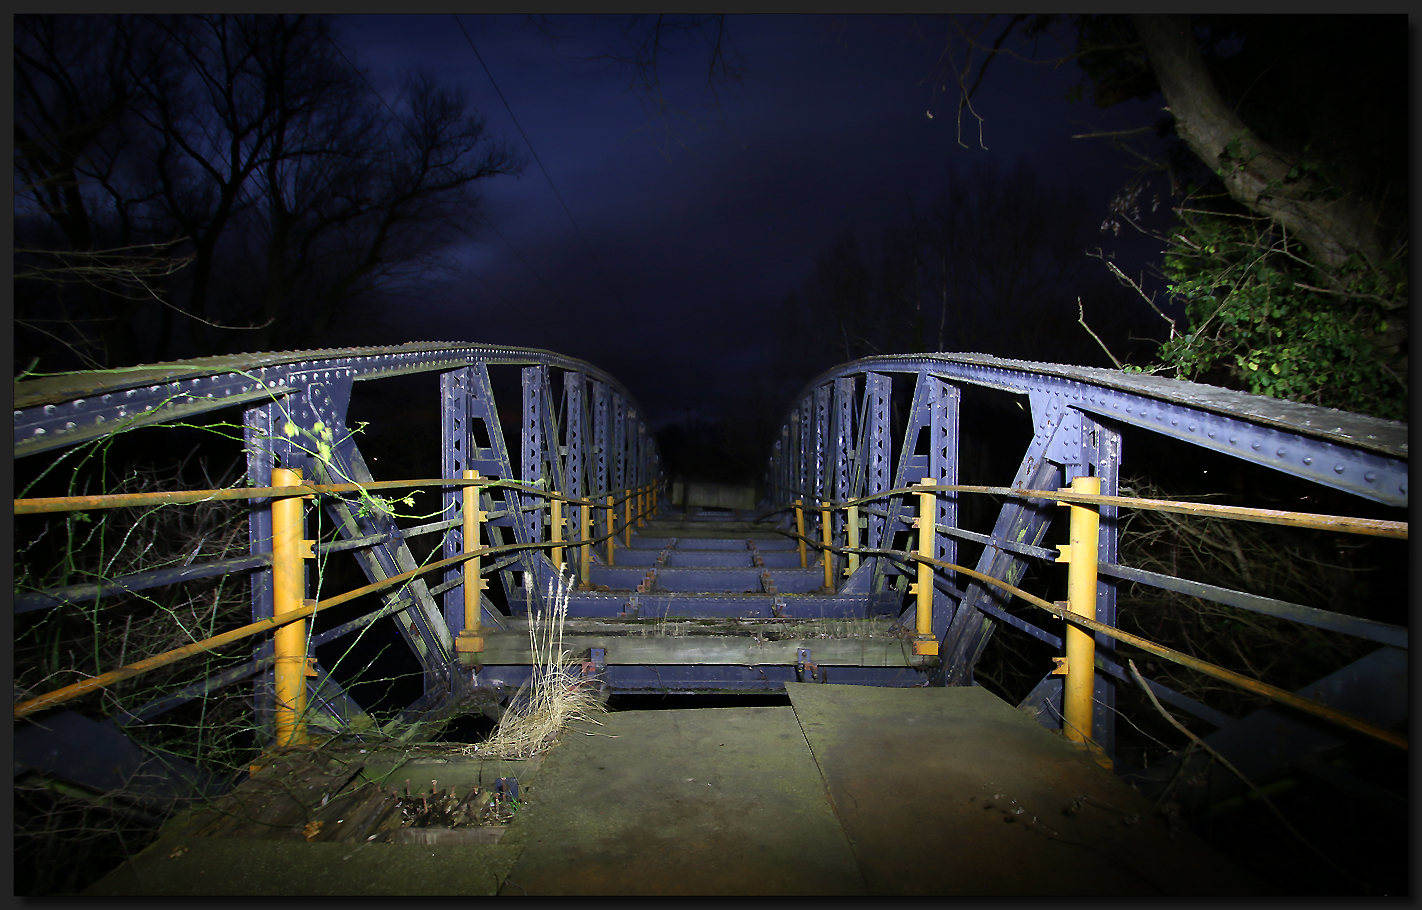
(1255, 174)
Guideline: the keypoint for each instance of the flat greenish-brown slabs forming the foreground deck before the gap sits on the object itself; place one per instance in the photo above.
(852, 791)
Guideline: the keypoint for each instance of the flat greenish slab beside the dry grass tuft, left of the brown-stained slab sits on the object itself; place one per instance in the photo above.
(712, 801)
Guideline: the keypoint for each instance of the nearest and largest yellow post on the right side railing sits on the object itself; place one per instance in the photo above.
(1081, 591)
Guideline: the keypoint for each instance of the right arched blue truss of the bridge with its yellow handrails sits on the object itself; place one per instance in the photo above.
(840, 454)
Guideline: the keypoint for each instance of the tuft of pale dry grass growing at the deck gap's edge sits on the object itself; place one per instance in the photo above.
(555, 696)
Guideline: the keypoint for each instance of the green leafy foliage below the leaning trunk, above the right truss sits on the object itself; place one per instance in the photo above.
(1276, 323)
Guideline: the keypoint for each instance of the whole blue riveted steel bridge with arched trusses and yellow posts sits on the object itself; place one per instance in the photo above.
(834, 577)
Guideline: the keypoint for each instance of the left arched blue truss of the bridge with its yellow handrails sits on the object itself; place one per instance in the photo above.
(578, 432)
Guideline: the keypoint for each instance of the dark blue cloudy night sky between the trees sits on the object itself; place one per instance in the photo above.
(702, 232)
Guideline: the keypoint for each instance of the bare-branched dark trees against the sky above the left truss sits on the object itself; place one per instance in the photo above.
(193, 186)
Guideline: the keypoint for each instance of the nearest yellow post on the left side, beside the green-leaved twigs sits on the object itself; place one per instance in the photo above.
(288, 595)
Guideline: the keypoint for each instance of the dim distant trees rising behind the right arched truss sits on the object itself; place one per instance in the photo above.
(996, 265)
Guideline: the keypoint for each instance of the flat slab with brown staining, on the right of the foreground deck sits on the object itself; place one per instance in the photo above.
(952, 791)
